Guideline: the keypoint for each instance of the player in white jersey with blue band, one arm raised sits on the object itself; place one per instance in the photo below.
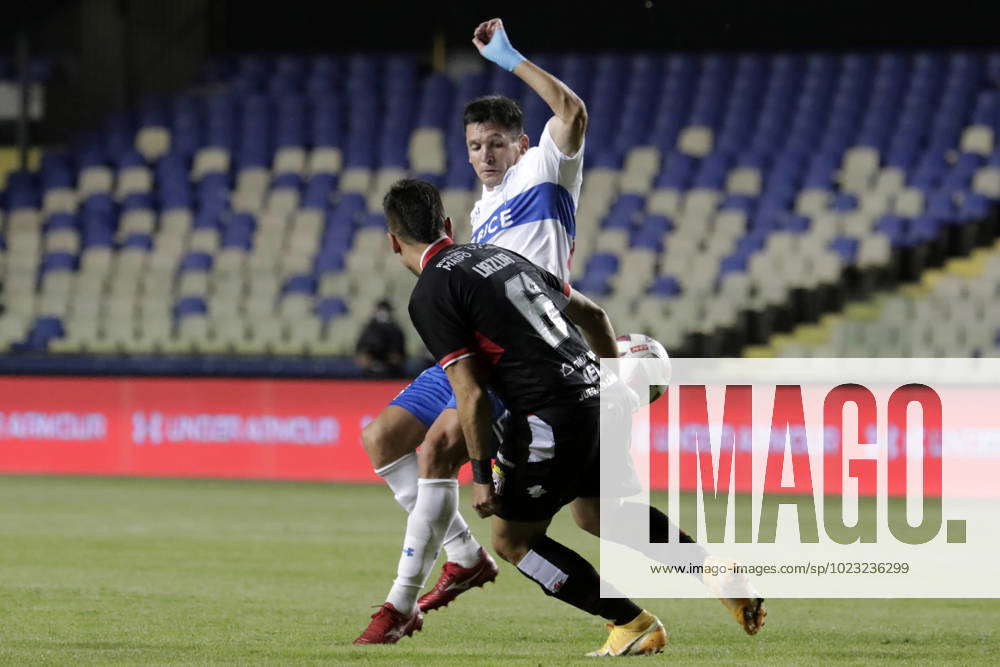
(528, 204)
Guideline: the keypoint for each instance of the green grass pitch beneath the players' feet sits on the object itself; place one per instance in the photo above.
(168, 571)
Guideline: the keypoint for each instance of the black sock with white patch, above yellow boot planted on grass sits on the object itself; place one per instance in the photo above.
(565, 575)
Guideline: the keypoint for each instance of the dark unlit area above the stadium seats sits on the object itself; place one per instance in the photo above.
(118, 50)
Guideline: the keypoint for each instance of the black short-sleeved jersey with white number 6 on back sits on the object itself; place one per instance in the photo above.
(485, 301)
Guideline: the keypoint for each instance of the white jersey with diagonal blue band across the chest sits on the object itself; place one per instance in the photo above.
(533, 210)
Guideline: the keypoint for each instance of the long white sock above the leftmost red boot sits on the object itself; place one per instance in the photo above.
(433, 513)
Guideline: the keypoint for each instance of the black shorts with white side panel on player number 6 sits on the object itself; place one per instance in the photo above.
(546, 460)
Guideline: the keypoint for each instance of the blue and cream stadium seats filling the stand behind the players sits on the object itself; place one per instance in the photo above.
(726, 197)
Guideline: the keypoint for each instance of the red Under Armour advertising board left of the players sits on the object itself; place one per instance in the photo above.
(250, 429)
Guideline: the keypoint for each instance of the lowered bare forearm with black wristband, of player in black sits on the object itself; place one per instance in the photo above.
(475, 416)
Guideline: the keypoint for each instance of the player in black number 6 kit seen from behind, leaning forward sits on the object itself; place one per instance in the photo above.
(493, 319)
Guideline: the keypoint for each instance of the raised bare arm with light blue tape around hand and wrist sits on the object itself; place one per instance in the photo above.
(570, 122)
